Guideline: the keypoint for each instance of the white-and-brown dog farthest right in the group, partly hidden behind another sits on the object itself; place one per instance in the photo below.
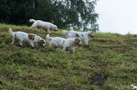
(84, 36)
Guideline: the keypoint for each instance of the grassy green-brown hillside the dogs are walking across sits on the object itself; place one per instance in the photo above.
(109, 62)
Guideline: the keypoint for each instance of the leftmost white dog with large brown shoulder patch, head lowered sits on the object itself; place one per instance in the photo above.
(31, 39)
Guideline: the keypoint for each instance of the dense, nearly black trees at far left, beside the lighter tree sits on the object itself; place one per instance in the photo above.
(20, 11)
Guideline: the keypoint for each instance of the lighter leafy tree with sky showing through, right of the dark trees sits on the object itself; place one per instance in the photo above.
(79, 14)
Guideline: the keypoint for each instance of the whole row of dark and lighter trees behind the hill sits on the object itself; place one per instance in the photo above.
(79, 14)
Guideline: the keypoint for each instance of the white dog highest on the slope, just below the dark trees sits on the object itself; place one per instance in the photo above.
(43, 25)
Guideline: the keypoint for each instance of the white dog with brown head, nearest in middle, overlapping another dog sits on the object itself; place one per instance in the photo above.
(70, 43)
